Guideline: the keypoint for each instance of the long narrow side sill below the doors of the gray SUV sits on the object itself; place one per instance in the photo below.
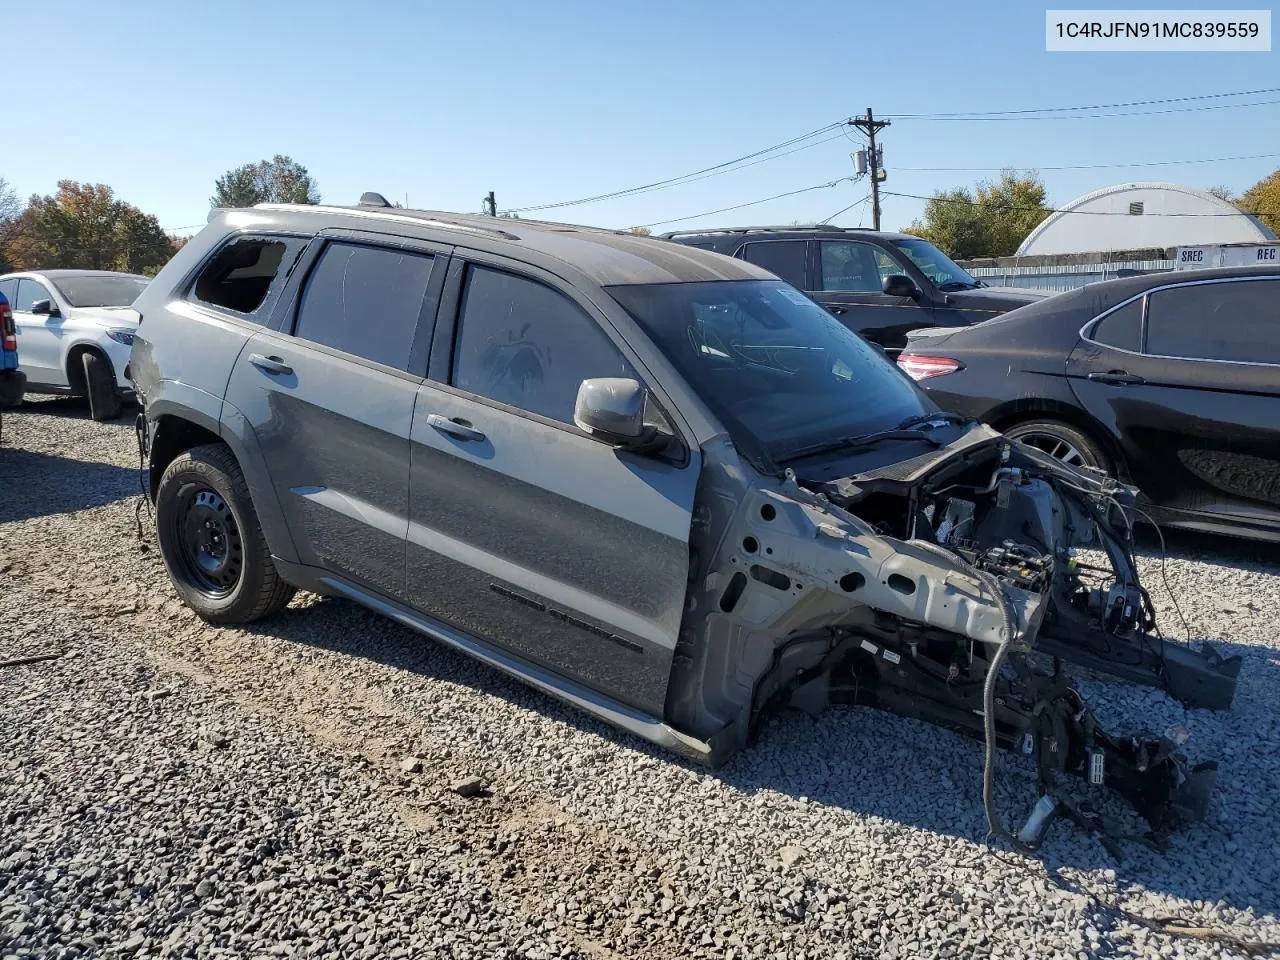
(609, 710)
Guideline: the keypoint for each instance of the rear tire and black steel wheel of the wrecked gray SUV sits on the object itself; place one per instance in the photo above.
(212, 542)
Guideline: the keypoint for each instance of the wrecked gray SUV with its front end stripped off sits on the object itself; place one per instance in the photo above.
(651, 481)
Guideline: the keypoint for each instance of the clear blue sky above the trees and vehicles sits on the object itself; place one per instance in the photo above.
(554, 100)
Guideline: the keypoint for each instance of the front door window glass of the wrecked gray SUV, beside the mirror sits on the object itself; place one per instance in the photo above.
(528, 346)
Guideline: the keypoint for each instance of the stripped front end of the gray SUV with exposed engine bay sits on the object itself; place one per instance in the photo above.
(949, 588)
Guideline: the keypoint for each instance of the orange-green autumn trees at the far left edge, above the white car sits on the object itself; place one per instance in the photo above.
(85, 226)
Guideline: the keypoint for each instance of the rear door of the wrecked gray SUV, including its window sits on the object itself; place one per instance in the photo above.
(331, 392)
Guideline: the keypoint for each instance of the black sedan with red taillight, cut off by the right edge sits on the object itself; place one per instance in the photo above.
(1169, 381)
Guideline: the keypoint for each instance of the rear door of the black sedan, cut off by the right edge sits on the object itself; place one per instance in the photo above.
(1191, 385)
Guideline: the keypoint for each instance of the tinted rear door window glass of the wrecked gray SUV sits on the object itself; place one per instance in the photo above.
(365, 301)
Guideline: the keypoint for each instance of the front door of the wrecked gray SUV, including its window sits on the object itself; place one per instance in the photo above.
(525, 532)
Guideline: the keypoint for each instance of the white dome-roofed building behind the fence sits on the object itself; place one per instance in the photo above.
(1142, 217)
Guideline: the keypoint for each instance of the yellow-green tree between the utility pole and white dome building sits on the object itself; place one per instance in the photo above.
(991, 221)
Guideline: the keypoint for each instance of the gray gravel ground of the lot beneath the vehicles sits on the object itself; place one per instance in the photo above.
(171, 789)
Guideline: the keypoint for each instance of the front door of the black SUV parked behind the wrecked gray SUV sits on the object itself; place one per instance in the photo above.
(851, 284)
